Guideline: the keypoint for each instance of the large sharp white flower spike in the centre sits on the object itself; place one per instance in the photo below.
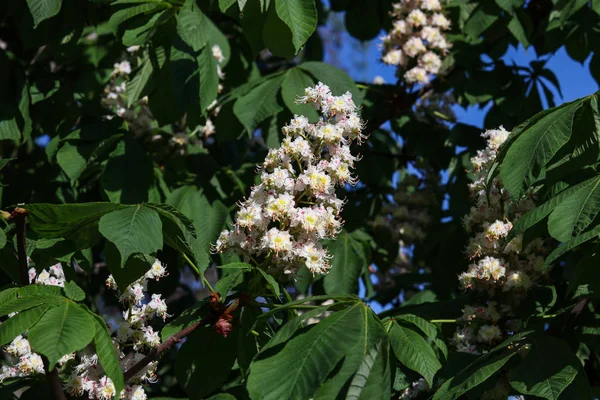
(295, 205)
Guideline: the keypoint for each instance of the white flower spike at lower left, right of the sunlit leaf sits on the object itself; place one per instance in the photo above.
(88, 378)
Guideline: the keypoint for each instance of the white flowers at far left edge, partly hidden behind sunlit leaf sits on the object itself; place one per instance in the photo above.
(28, 362)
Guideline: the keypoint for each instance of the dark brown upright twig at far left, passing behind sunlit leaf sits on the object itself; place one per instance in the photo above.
(19, 215)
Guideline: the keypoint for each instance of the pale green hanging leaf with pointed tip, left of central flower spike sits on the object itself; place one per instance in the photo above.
(135, 229)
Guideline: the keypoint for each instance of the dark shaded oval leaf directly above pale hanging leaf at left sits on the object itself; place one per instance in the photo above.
(129, 174)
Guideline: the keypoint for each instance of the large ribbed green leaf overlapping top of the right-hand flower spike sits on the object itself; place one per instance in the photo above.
(535, 146)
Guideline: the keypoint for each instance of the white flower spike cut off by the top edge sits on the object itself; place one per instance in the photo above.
(416, 42)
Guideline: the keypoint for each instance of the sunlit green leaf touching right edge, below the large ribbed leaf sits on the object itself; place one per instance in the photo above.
(576, 212)
